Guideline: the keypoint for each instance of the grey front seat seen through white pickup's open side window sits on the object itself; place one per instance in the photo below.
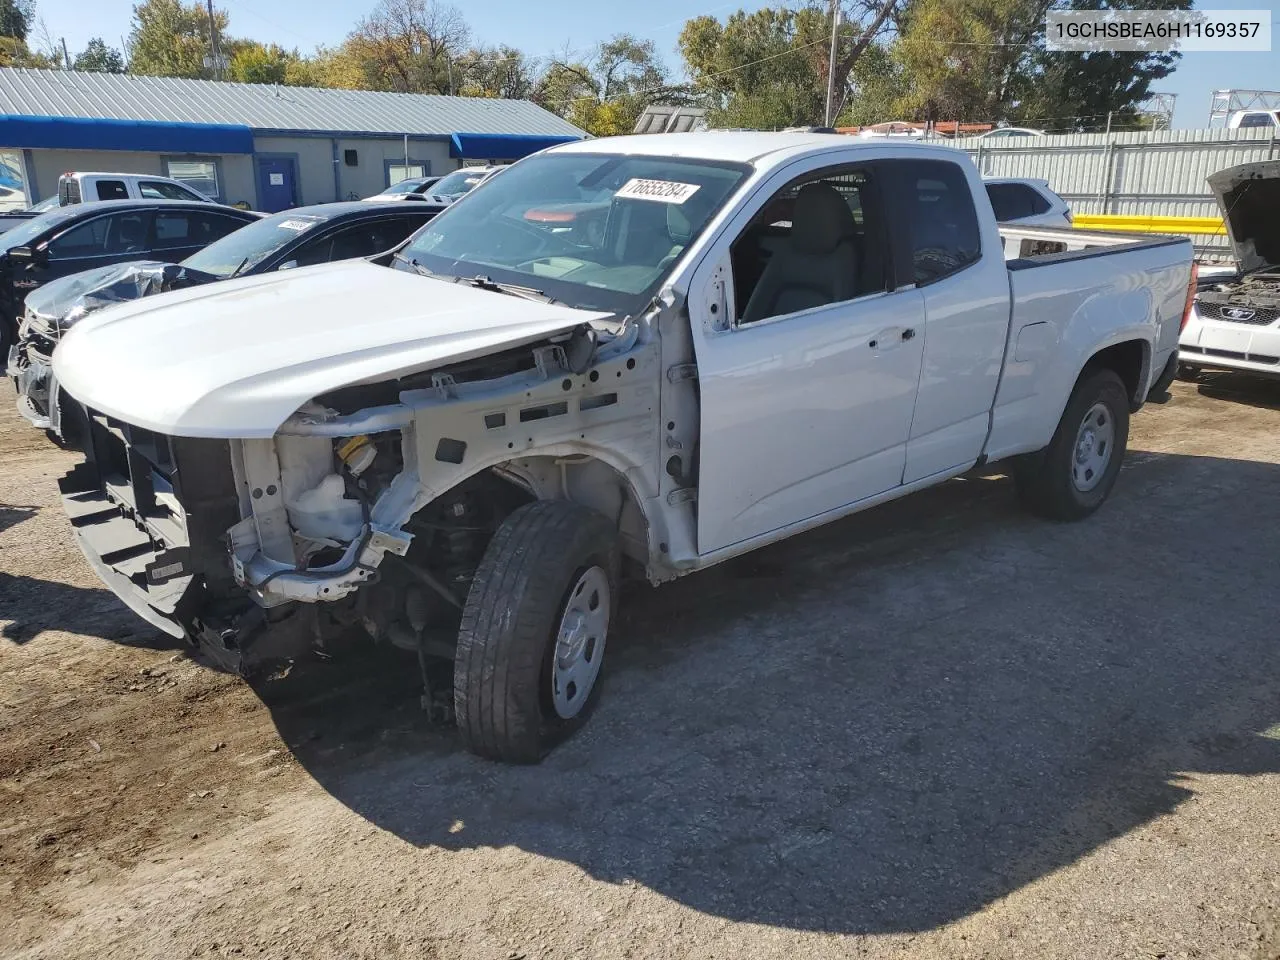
(819, 266)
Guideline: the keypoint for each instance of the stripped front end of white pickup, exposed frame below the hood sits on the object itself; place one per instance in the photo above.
(372, 505)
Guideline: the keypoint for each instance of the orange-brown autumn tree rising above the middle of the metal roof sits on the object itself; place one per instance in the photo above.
(408, 47)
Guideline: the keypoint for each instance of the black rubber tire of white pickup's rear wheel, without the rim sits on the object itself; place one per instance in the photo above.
(1045, 479)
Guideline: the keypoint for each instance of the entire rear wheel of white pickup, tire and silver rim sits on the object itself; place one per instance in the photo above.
(1072, 477)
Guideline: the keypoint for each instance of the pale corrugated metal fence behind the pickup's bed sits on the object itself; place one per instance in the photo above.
(1149, 175)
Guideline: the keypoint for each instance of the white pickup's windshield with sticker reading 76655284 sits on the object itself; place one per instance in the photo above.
(592, 231)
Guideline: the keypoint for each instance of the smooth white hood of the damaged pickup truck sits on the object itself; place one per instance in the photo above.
(237, 359)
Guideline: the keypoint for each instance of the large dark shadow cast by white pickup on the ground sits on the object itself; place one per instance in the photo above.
(885, 725)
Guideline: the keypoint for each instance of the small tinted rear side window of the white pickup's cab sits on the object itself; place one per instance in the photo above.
(939, 212)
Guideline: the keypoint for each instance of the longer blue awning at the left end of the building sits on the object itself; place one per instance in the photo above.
(145, 136)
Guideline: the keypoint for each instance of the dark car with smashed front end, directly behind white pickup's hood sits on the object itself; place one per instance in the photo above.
(299, 237)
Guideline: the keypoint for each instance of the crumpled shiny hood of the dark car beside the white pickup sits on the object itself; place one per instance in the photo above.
(63, 303)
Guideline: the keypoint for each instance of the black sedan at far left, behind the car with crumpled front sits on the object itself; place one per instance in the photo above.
(76, 239)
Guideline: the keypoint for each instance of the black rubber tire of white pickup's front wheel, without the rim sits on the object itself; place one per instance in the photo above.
(502, 670)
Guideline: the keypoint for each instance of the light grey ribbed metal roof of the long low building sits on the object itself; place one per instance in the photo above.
(267, 108)
